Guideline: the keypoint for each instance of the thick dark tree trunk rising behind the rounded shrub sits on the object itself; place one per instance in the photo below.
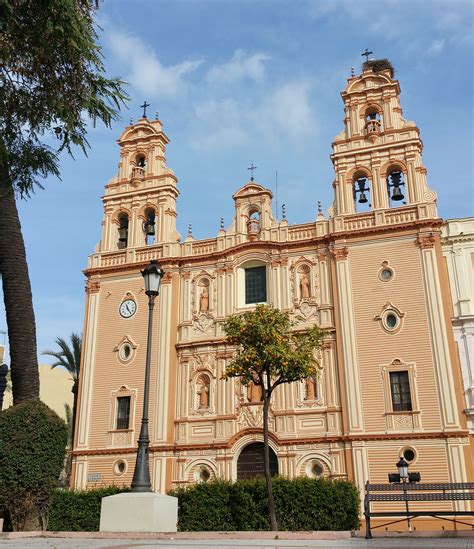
(18, 299)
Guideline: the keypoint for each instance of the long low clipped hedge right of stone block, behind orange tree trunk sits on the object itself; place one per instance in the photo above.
(301, 504)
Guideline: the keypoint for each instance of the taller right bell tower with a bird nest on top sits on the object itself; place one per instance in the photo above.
(377, 157)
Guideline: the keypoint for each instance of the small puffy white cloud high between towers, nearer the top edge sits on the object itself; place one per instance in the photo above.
(240, 67)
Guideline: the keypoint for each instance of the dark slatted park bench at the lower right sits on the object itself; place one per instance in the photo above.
(414, 492)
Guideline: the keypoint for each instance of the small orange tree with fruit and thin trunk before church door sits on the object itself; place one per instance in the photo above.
(270, 352)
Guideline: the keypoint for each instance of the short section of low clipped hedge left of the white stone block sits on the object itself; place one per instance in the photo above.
(78, 511)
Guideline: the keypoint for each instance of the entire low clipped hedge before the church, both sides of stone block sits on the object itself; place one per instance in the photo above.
(301, 504)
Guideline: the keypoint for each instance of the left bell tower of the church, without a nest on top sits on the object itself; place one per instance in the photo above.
(140, 201)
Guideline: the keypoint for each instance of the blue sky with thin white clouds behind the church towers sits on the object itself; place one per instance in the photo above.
(259, 81)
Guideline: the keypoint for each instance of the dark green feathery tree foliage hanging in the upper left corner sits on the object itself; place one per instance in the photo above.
(52, 83)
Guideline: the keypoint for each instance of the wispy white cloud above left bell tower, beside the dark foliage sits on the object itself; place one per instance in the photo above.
(145, 71)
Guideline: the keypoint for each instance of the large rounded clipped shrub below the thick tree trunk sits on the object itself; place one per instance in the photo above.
(32, 449)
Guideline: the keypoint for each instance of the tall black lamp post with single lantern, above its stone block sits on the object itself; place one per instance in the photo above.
(141, 475)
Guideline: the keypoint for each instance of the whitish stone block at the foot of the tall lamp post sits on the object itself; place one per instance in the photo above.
(139, 512)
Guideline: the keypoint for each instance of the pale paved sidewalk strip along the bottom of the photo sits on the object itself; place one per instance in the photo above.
(128, 543)
